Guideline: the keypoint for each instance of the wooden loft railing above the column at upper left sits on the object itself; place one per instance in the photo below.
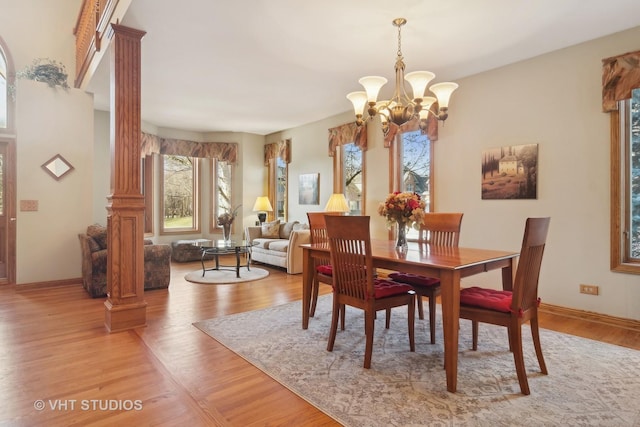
(91, 28)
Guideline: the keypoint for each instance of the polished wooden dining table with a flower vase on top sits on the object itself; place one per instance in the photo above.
(449, 264)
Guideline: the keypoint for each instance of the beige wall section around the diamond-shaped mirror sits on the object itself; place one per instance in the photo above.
(50, 122)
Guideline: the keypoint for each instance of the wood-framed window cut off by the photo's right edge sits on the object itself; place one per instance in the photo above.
(625, 242)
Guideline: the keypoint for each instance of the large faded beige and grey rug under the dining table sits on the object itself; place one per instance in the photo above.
(589, 383)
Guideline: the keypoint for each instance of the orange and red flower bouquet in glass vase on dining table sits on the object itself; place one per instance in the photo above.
(405, 209)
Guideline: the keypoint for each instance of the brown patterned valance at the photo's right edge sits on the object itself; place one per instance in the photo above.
(620, 75)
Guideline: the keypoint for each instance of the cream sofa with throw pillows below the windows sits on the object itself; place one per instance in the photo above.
(278, 244)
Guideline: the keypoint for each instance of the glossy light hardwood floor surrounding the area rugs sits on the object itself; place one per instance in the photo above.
(54, 348)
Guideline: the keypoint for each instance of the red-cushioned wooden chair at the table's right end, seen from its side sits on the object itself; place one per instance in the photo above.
(512, 308)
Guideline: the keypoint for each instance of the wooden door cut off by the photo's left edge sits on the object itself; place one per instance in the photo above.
(7, 213)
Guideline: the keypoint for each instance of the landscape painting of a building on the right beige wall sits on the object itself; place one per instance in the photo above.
(510, 172)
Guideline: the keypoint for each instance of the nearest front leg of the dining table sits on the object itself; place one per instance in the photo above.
(450, 290)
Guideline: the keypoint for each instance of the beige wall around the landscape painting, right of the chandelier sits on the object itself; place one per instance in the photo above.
(555, 101)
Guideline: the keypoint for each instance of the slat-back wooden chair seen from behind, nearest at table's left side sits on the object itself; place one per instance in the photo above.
(354, 281)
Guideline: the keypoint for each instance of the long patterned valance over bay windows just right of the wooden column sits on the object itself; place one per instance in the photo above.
(223, 151)
